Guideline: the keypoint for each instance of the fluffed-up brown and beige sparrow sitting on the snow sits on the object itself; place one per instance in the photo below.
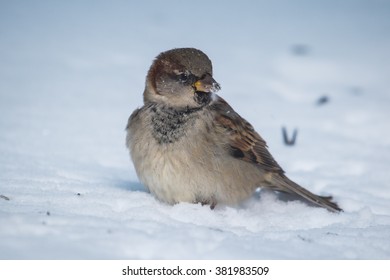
(188, 145)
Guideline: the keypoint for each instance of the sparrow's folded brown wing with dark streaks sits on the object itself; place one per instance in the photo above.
(243, 142)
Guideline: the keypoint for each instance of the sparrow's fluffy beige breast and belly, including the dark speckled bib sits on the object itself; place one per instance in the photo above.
(178, 159)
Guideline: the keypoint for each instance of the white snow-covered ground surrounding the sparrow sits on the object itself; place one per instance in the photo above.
(71, 72)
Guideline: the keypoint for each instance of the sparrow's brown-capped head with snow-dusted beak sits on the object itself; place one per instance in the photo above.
(181, 78)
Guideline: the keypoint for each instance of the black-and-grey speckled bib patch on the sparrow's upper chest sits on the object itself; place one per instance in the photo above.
(170, 125)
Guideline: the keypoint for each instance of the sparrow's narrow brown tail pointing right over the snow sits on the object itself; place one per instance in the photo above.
(285, 184)
